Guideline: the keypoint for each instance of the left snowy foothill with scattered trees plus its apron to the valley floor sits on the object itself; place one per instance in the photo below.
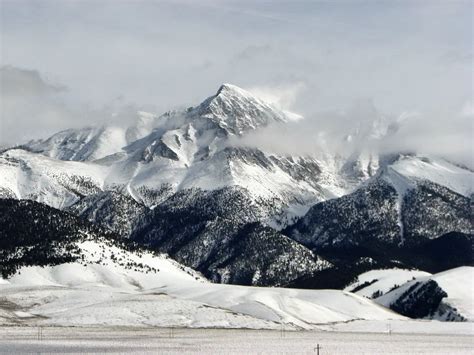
(107, 293)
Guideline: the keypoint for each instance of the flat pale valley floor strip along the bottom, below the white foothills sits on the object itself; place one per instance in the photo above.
(181, 340)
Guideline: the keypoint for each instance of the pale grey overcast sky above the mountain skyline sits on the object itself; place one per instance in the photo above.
(73, 63)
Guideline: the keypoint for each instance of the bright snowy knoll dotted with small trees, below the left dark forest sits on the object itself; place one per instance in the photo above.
(104, 265)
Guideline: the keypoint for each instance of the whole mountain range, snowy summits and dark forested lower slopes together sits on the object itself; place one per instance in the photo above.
(175, 183)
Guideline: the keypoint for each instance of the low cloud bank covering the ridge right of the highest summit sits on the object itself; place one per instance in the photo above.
(364, 128)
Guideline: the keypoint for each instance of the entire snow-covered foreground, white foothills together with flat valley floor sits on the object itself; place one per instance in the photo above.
(118, 301)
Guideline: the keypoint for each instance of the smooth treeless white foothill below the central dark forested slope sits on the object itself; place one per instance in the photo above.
(302, 308)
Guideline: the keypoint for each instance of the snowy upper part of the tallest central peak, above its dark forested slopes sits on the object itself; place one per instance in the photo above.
(191, 149)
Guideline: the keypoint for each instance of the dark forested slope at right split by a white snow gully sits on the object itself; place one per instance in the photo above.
(377, 216)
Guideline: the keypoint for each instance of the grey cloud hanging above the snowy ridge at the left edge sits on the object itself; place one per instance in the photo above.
(33, 107)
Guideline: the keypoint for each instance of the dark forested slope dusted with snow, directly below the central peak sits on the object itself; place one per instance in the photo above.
(213, 233)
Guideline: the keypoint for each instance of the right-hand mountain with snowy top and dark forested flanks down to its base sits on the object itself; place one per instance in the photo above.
(404, 216)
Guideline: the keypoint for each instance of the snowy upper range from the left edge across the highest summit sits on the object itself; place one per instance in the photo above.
(184, 150)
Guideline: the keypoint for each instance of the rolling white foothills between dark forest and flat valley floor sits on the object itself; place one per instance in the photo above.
(115, 287)
